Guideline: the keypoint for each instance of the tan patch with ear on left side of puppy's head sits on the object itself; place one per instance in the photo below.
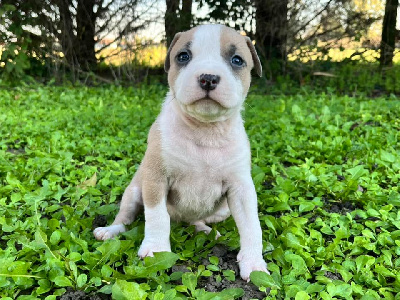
(181, 41)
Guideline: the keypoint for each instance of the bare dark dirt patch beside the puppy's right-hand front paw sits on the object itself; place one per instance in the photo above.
(227, 261)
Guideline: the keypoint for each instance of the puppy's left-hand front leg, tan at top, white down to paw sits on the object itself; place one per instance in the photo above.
(157, 220)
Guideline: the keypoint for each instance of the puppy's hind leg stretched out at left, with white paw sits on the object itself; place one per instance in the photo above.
(131, 204)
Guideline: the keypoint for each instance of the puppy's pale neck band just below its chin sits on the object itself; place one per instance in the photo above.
(205, 134)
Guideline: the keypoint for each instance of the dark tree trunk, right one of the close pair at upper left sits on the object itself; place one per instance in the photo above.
(85, 32)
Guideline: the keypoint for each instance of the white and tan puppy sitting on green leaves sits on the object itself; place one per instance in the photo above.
(197, 164)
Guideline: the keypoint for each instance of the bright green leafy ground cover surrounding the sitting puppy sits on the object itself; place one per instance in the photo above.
(326, 169)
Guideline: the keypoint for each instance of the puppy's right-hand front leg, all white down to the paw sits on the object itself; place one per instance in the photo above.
(242, 202)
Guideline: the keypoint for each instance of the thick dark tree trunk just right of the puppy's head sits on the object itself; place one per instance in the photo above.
(271, 31)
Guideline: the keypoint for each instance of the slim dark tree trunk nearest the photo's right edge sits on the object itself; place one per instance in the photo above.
(388, 33)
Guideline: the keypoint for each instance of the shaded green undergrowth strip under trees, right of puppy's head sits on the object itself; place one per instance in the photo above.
(344, 78)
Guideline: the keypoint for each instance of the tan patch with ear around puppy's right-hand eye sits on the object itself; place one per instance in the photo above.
(232, 43)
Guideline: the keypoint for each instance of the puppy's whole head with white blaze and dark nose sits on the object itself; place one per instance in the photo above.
(209, 71)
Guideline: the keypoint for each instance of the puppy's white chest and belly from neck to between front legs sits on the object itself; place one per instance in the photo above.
(199, 164)
